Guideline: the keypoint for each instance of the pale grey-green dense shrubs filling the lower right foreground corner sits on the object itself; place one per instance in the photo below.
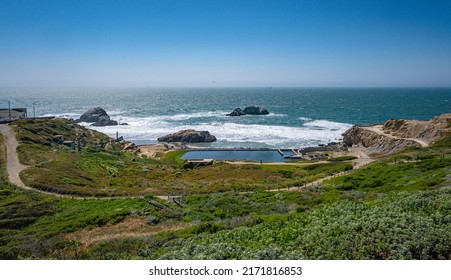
(404, 225)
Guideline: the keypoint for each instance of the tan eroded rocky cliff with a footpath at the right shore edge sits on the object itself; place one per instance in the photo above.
(397, 135)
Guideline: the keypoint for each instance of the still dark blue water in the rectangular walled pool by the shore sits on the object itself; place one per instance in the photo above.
(253, 155)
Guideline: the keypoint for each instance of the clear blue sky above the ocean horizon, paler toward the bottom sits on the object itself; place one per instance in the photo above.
(225, 43)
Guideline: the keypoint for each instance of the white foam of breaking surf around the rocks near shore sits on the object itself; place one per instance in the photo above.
(229, 134)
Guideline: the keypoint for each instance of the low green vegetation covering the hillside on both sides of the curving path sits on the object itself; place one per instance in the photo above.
(395, 208)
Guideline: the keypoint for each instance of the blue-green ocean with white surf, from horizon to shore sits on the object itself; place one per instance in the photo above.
(298, 117)
